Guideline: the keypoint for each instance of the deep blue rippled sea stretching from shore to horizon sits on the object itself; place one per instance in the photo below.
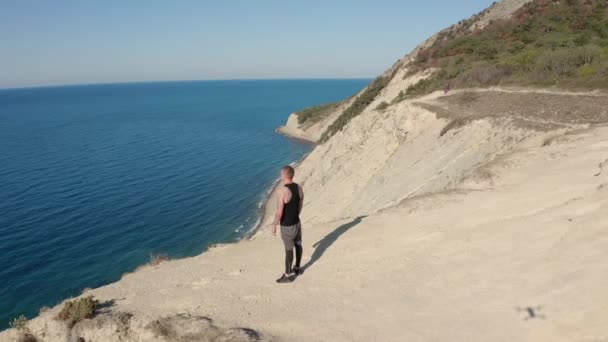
(95, 179)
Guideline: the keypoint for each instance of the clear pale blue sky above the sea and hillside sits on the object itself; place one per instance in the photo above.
(70, 42)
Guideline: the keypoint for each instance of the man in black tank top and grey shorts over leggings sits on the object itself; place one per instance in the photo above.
(289, 207)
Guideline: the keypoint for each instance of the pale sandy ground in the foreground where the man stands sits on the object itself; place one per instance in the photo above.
(457, 266)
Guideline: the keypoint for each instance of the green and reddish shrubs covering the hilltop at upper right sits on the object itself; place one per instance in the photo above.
(546, 42)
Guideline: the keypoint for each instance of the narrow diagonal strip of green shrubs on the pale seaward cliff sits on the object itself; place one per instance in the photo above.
(360, 103)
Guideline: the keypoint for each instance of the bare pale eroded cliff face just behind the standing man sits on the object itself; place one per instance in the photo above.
(385, 156)
